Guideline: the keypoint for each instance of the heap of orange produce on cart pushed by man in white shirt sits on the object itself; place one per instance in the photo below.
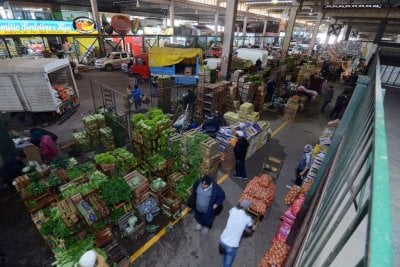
(260, 191)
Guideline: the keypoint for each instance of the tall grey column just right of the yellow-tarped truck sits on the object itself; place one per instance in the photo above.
(230, 18)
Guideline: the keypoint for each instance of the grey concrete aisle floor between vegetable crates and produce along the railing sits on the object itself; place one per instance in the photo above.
(186, 247)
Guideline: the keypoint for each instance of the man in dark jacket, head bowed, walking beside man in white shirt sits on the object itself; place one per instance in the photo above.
(206, 198)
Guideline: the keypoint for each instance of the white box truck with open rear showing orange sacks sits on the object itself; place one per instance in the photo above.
(31, 87)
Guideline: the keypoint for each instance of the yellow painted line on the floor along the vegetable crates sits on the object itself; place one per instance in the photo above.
(184, 213)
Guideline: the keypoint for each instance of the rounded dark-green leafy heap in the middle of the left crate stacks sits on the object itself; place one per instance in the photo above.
(115, 190)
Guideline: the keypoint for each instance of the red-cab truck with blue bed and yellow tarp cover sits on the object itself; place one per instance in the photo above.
(182, 64)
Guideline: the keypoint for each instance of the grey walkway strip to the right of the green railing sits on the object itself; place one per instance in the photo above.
(392, 111)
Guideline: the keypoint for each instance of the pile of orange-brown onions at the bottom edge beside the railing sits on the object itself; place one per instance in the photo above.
(276, 255)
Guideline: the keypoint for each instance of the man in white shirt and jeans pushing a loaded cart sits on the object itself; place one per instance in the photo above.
(237, 223)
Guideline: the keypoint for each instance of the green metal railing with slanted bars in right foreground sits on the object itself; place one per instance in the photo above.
(349, 218)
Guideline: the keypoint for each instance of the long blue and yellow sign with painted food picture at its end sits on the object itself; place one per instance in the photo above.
(47, 27)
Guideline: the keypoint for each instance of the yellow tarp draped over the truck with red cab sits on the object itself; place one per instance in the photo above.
(166, 56)
